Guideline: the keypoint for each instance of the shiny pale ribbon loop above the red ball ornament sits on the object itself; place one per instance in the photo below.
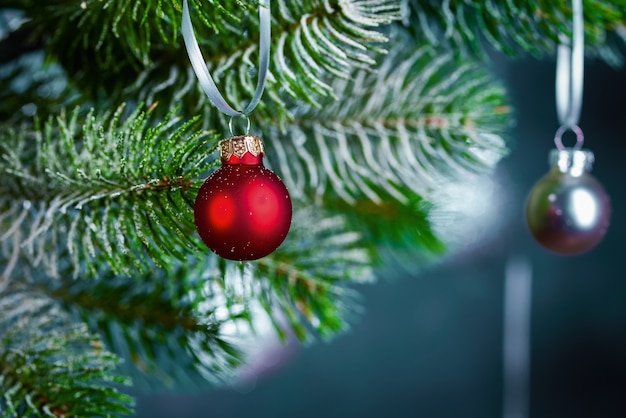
(202, 72)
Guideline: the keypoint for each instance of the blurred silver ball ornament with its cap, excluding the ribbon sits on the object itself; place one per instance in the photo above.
(568, 211)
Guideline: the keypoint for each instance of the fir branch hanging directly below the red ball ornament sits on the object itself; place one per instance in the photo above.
(186, 326)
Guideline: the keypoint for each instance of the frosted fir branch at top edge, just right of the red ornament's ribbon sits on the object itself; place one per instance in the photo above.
(319, 40)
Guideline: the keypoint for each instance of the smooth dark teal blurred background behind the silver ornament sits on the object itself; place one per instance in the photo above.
(430, 342)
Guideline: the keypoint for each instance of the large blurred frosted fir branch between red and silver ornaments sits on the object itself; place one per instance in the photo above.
(421, 119)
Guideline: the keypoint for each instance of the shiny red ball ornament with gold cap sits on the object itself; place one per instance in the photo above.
(243, 210)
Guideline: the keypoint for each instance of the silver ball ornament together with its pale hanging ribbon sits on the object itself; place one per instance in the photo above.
(568, 211)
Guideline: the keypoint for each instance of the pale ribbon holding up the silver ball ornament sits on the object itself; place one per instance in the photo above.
(570, 71)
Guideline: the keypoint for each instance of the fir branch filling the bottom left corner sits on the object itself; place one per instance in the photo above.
(51, 367)
